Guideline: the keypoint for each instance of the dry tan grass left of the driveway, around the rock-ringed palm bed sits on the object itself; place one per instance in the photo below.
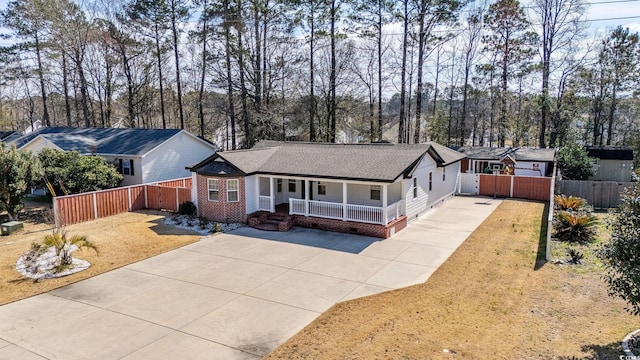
(121, 240)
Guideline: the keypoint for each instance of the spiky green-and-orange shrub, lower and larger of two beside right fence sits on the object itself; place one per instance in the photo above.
(575, 227)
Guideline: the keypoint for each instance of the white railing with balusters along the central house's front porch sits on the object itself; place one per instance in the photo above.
(359, 213)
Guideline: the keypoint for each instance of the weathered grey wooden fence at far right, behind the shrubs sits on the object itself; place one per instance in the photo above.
(600, 194)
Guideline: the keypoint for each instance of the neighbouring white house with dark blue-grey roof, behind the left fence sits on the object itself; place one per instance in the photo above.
(141, 155)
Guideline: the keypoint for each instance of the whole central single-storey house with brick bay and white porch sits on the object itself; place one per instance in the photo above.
(372, 189)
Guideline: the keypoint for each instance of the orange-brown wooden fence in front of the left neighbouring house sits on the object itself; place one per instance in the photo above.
(72, 209)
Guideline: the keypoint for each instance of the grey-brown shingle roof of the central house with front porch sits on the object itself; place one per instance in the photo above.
(369, 162)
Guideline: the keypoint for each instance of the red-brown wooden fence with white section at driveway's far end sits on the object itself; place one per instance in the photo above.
(521, 187)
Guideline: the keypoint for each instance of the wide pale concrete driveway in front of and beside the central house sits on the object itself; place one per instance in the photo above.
(231, 296)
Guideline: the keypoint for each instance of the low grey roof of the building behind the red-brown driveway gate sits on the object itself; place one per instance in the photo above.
(518, 154)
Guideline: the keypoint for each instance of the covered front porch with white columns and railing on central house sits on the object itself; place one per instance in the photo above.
(353, 201)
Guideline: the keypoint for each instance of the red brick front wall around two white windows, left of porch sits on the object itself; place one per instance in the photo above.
(221, 210)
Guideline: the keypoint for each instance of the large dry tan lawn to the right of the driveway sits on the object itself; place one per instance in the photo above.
(486, 302)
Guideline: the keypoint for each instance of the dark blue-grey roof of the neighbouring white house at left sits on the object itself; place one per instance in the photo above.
(102, 141)
